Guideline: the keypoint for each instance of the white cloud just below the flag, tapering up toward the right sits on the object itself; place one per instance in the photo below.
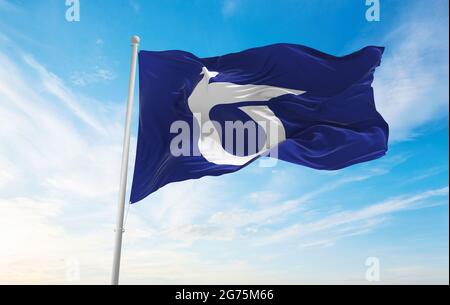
(190, 215)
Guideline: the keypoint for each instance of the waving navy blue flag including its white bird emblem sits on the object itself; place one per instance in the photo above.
(322, 108)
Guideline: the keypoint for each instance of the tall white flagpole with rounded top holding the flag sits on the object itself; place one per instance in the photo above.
(135, 40)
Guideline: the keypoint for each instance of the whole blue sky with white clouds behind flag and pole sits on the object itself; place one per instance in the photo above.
(63, 89)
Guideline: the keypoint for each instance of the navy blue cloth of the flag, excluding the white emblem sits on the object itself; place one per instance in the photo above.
(333, 125)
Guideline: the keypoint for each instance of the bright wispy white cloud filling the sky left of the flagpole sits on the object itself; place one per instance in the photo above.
(56, 158)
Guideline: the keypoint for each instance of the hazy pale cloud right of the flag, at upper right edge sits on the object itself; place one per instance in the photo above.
(411, 86)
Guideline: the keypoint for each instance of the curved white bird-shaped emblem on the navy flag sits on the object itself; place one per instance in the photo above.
(207, 95)
